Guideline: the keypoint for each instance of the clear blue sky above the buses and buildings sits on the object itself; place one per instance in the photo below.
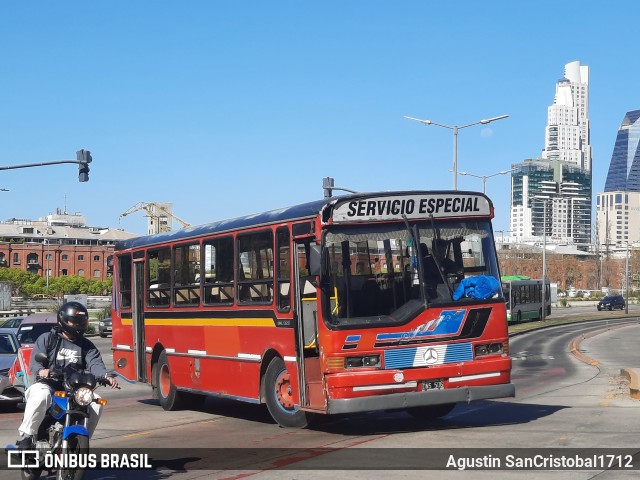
(229, 108)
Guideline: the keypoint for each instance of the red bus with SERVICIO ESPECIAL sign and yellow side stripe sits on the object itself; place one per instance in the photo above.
(335, 306)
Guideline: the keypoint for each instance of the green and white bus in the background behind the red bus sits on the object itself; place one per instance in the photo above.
(524, 298)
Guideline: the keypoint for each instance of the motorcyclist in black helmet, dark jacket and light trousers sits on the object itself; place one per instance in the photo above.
(65, 345)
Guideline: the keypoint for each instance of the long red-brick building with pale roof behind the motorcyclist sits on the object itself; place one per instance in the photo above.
(59, 245)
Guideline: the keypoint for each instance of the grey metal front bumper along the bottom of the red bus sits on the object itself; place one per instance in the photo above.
(397, 401)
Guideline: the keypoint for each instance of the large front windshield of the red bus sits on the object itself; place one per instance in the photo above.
(390, 272)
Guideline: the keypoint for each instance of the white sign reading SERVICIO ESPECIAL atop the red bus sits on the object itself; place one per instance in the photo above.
(437, 205)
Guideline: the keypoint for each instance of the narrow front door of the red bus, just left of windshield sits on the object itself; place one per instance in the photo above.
(306, 304)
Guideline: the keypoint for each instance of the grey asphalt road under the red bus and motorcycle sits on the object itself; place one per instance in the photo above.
(561, 402)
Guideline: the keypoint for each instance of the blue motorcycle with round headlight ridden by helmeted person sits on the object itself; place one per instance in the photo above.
(62, 442)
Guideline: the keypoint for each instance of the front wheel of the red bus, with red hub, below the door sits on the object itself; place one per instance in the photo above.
(279, 397)
